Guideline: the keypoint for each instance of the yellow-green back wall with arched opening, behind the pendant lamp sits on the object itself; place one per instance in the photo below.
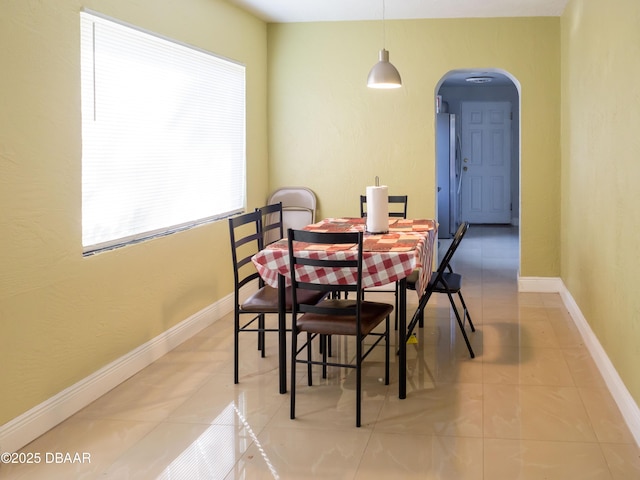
(330, 132)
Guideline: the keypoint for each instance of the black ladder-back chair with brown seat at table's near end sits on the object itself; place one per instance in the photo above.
(333, 316)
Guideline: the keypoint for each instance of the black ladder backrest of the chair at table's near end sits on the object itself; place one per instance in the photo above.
(350, 269)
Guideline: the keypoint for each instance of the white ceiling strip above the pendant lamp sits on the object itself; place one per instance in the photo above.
(287, 11)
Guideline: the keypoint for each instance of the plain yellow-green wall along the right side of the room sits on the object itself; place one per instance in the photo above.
(601, 172)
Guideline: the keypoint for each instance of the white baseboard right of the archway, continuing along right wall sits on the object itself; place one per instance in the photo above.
(627, 405)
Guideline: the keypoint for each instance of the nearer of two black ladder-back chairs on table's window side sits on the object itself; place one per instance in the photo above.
(247, 239)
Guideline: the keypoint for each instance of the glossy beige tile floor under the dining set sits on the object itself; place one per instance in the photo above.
(531, 405)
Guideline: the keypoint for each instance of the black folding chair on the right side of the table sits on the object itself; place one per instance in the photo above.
(444, 280)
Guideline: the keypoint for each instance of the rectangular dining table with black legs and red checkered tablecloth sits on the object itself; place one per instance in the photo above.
(388, 257)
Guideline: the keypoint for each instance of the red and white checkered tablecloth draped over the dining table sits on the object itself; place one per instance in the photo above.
(387, 257)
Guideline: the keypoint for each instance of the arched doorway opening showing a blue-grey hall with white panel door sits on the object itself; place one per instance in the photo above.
(469, 189)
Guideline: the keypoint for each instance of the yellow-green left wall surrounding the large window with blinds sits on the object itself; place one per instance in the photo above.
(62, 316)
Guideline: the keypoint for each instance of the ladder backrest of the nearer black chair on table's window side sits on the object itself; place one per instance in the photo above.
(245, 232)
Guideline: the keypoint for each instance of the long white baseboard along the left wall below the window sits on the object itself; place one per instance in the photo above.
(38, 420)
